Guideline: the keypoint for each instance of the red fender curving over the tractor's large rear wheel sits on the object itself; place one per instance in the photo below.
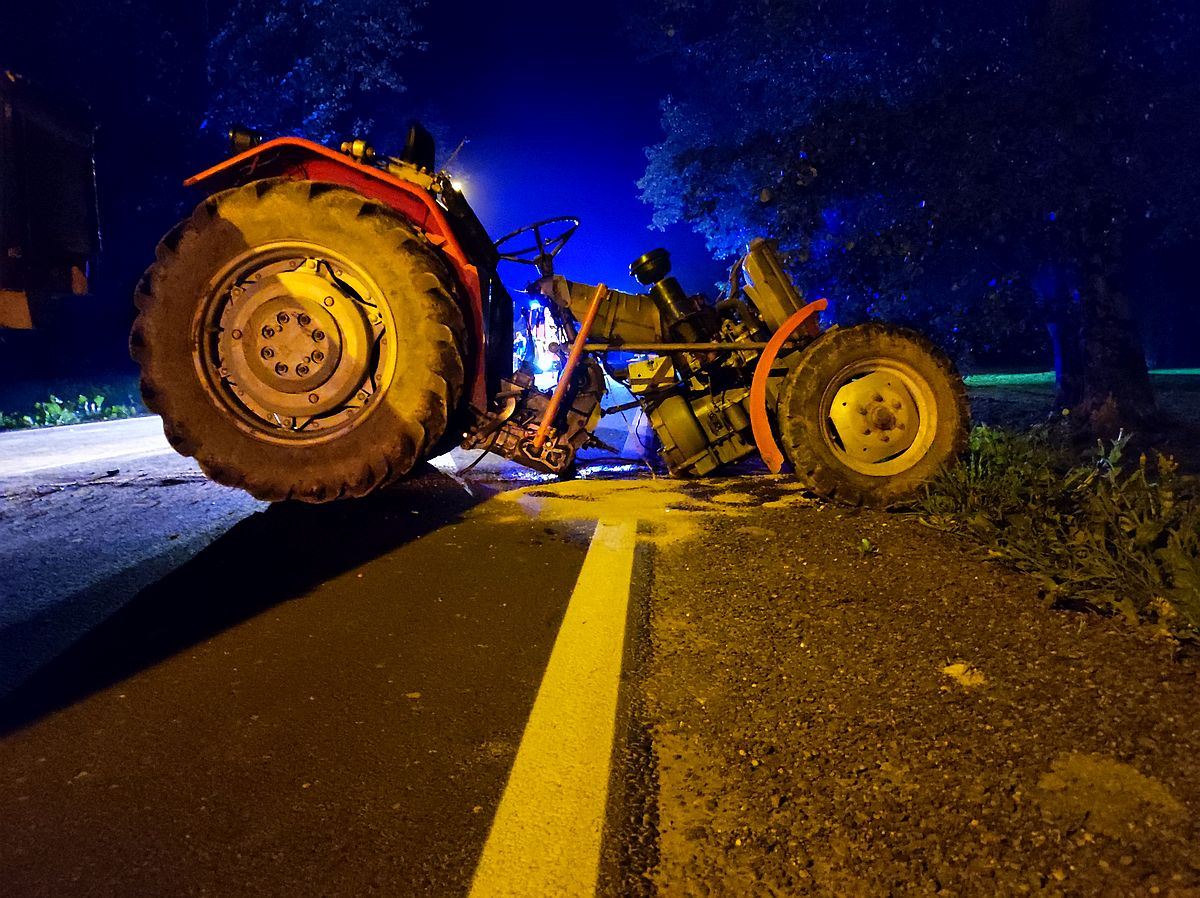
(305, 160)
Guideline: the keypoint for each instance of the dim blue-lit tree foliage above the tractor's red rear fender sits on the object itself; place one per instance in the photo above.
(302, 67)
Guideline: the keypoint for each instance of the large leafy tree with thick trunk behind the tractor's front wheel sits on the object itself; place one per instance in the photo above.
(973, 172)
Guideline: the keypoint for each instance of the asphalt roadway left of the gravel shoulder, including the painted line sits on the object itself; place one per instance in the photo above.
(208, 696)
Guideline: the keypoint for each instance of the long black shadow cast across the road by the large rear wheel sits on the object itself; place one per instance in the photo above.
(263, 561)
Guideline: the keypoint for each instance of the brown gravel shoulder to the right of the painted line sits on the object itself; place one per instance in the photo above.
(905, 720)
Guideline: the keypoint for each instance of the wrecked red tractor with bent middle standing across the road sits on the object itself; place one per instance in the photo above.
(327, 319)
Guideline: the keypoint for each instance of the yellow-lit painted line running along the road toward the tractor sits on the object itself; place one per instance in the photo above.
(545, 840)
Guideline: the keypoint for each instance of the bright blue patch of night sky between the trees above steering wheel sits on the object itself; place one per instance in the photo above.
(559, 111)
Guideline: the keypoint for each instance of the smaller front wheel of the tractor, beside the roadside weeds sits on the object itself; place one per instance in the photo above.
(871, 414)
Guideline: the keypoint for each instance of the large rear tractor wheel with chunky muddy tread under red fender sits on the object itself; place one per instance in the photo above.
(302, 342)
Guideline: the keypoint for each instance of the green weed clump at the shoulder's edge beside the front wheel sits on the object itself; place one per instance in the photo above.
(1123, 538)
